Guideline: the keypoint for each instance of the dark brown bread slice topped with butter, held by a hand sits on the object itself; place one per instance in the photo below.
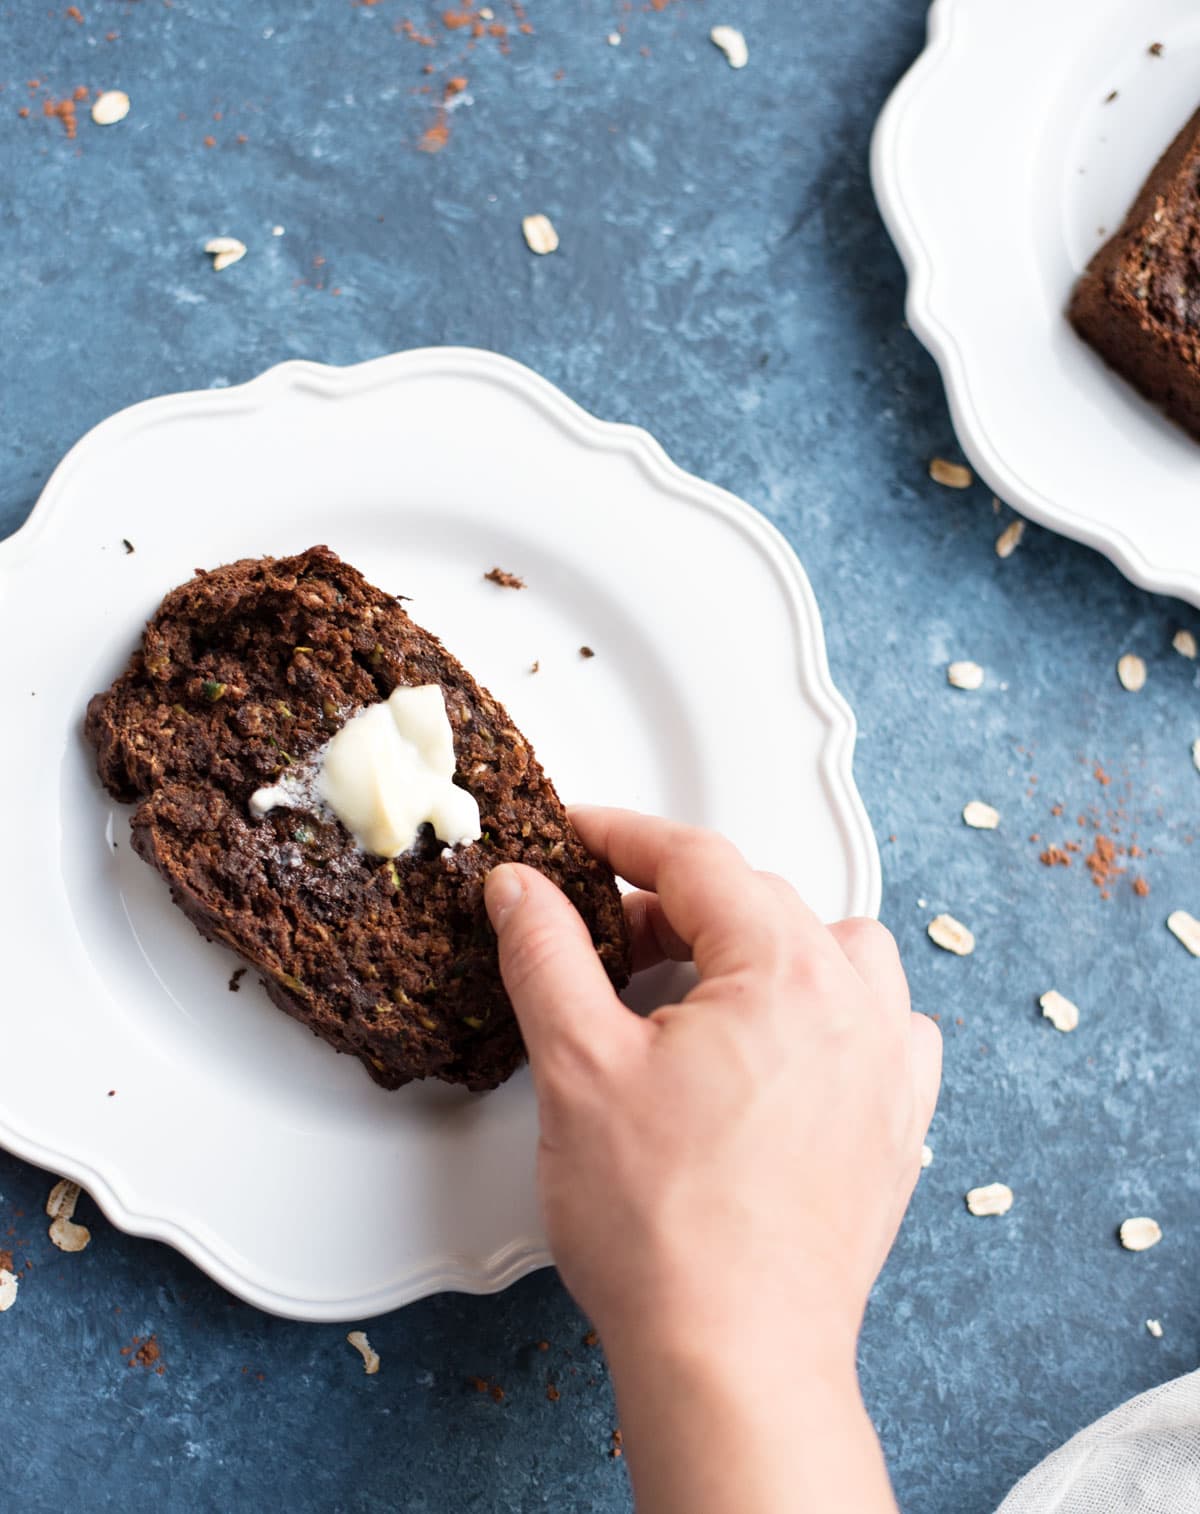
(247, 670)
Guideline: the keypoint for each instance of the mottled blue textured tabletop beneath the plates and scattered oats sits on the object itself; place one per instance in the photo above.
(724, 281)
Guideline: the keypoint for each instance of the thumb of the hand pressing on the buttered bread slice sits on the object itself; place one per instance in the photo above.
(562, 997)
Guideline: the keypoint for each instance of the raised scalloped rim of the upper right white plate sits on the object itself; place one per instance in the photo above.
(1004, 478)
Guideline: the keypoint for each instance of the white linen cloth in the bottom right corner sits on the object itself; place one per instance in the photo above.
(1142, 1459)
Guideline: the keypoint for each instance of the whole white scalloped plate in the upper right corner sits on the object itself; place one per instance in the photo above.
(996, 163)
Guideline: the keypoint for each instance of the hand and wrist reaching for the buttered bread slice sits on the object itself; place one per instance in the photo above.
(723, 1182)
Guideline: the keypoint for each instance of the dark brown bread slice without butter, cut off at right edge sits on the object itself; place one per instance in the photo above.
(1139, 304)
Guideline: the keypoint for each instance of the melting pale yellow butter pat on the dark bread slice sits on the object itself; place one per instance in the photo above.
(388, 773)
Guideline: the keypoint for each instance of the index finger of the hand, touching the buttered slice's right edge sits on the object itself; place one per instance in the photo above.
(709, 894)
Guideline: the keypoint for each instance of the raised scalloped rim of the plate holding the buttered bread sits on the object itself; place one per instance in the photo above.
(477, 1276)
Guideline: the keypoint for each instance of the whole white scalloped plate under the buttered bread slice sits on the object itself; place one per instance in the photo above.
(234, 1135)
